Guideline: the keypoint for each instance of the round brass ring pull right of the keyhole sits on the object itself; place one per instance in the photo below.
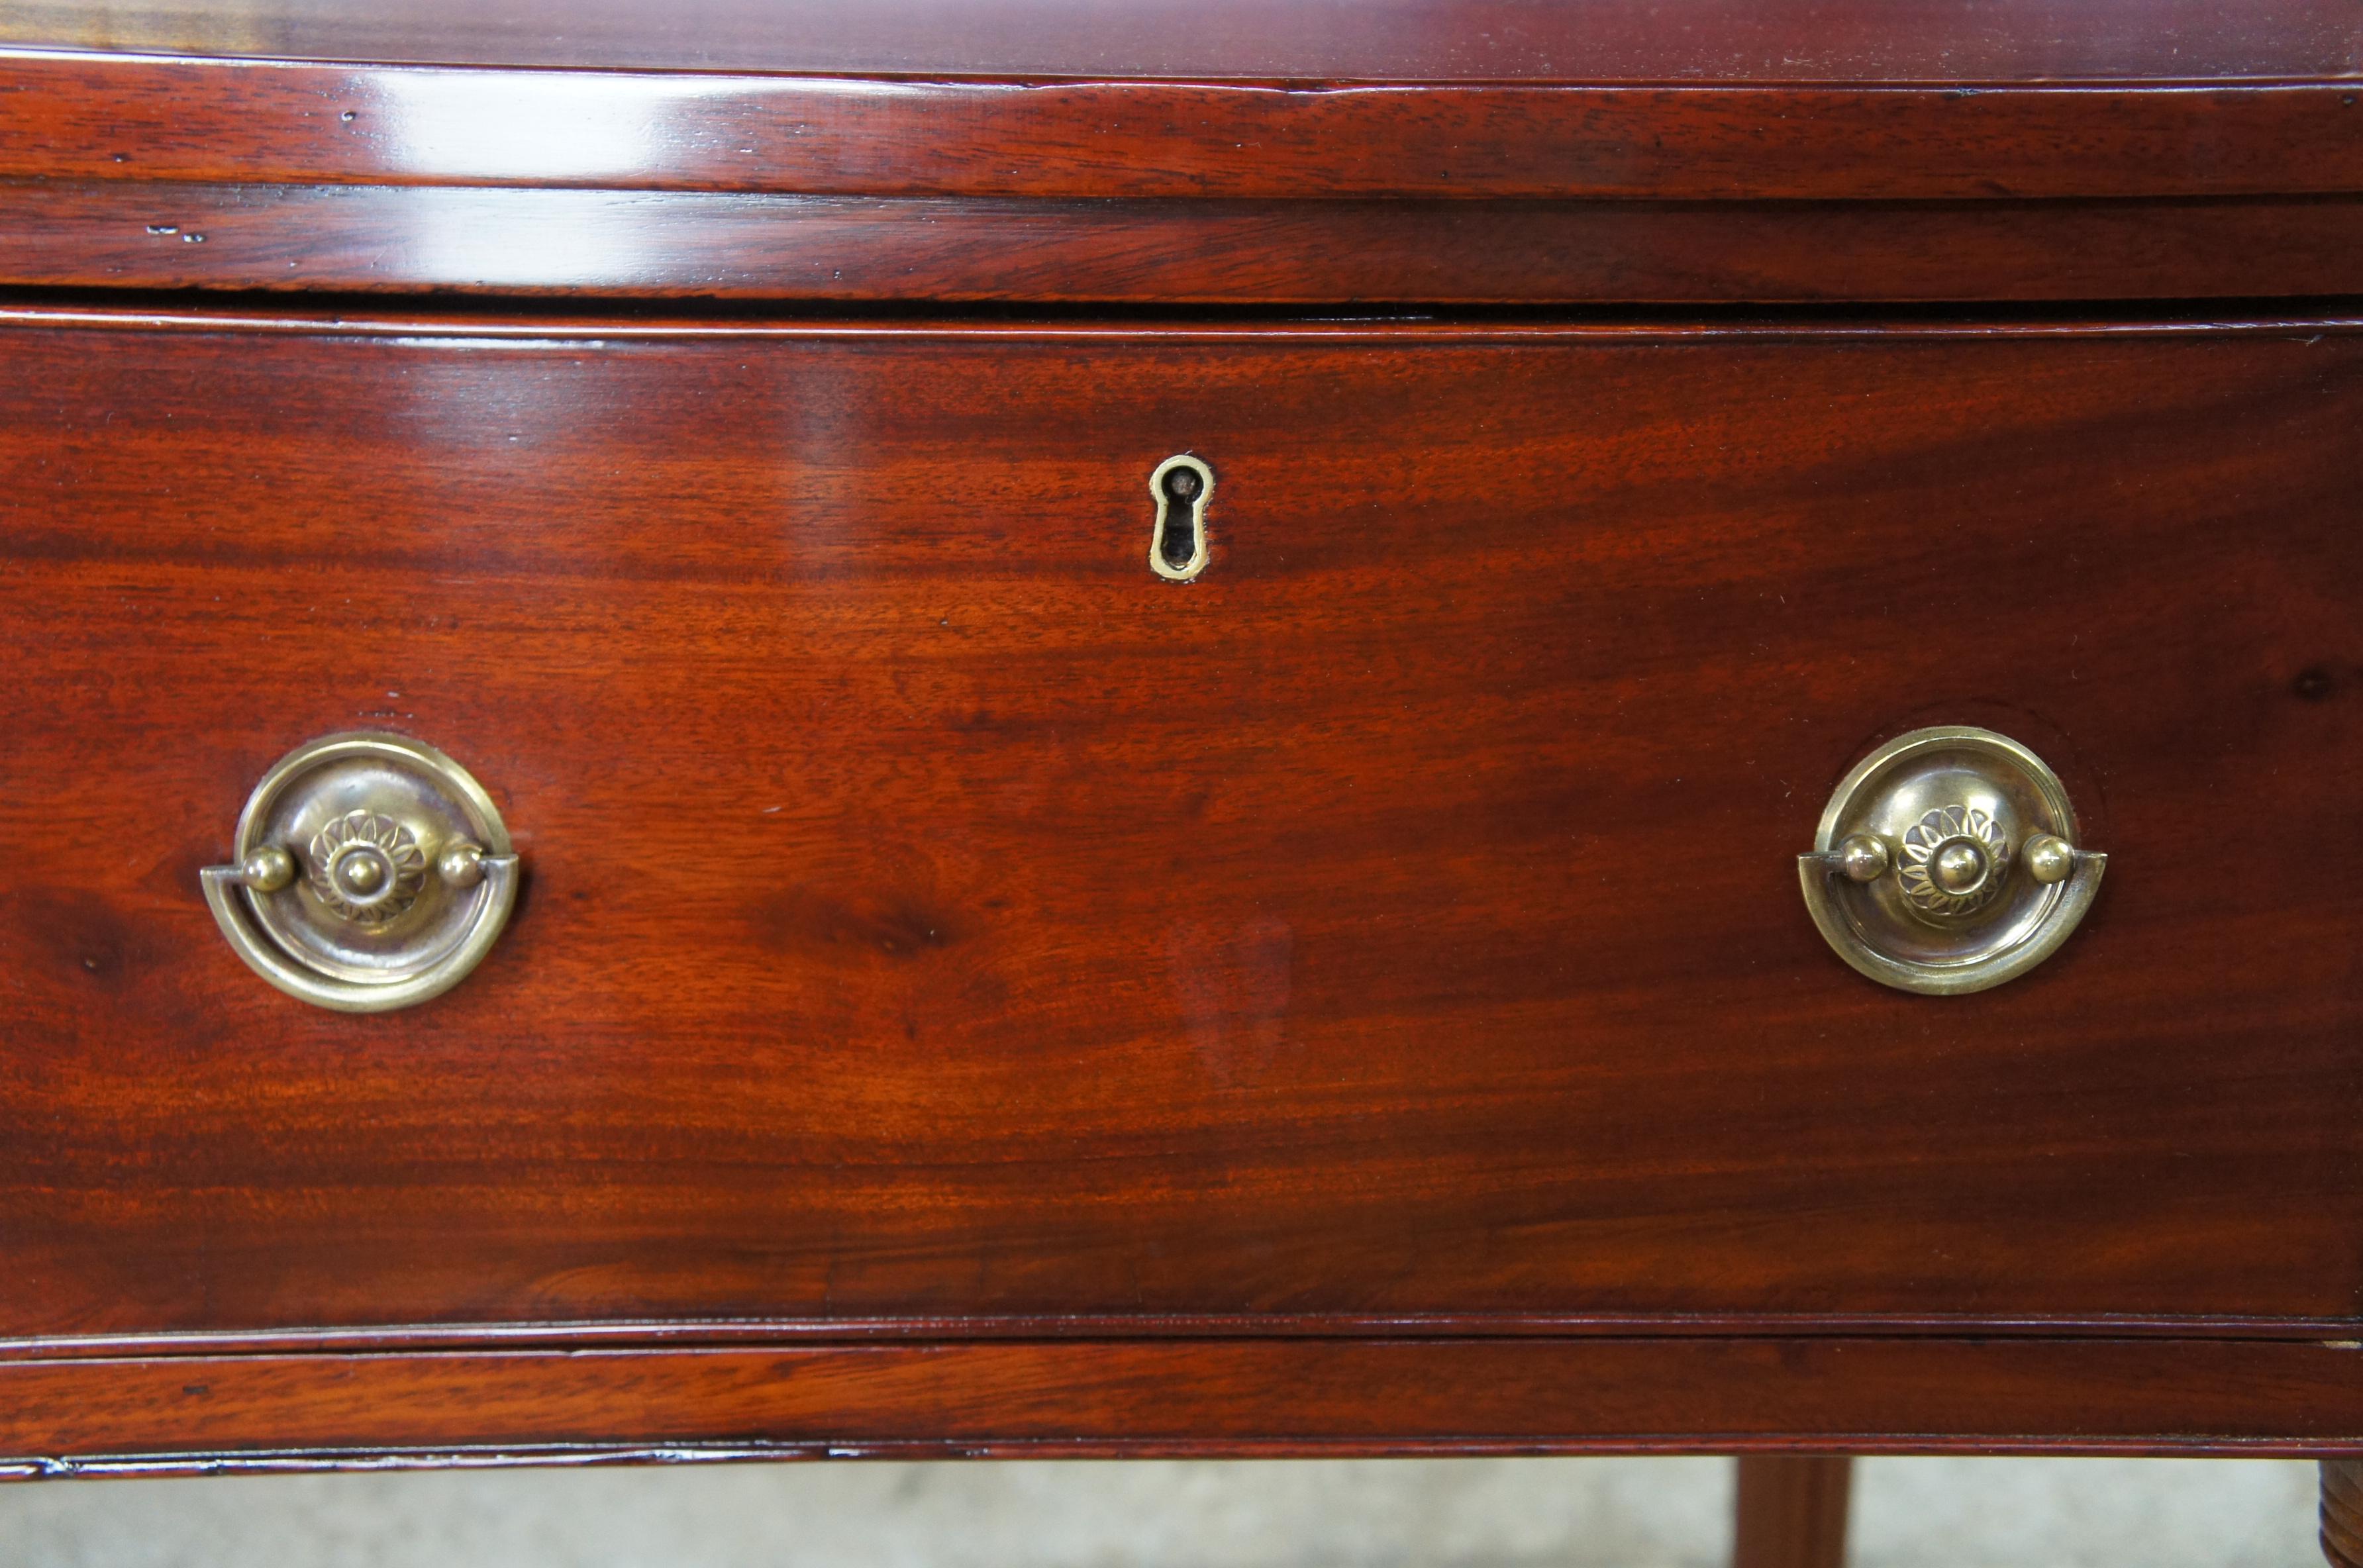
(1948, 863)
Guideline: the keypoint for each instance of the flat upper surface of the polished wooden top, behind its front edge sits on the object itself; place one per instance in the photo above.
(1854, 41)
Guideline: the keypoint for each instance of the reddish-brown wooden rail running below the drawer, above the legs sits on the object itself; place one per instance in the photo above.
(1246, 1399)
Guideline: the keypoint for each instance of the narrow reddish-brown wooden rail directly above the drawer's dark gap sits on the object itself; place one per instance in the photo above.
(240, 237)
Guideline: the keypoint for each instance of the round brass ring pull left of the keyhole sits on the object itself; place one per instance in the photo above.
(370, 875)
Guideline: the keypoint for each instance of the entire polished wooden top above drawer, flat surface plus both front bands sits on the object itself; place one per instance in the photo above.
(861, 155)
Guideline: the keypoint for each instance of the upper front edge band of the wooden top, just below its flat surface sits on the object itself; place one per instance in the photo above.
(67, 117)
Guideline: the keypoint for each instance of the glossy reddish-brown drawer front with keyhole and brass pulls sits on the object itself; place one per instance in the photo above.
(1381, 901)
